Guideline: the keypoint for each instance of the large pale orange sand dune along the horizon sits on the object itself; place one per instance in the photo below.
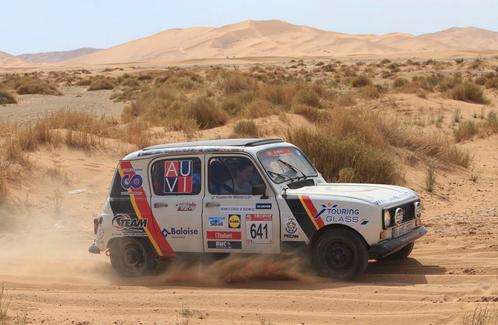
(278, 38)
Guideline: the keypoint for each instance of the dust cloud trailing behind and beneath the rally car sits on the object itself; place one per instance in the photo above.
(40, 247)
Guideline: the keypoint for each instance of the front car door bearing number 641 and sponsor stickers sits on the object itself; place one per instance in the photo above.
(235, 220)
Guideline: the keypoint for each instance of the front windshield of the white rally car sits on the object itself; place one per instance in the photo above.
(284, 164)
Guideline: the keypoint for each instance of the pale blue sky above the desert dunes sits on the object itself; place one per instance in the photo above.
(28, 26)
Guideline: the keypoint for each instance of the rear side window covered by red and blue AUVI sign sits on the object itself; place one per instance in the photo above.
(180, 176)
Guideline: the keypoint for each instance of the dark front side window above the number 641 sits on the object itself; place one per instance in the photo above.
(232, 175)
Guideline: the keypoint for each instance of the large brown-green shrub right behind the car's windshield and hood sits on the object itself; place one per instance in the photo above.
(331, 155)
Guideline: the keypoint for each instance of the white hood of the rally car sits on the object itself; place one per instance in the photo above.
(376, 194)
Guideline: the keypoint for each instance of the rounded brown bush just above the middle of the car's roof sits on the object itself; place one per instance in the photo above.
(206, 114)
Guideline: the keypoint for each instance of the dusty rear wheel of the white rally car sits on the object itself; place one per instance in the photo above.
(133, 257)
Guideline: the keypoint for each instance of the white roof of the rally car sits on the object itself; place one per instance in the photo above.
(202, 146)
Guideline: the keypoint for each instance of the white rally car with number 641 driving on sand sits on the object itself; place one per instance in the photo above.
(249, 196)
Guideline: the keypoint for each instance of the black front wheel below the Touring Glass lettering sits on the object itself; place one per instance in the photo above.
(340, 253)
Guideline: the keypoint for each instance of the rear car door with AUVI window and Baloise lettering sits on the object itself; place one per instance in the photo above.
(176, 200)
